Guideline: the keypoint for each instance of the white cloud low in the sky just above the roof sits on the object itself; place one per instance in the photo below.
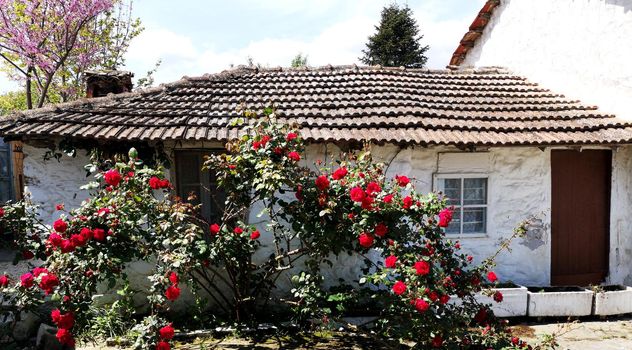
(340, 43)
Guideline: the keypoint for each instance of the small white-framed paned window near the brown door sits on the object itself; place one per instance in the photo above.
(468, 195)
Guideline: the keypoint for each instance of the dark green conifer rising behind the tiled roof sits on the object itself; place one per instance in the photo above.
(397, 40)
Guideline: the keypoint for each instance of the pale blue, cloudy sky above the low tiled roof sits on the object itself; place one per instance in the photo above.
(194, 37)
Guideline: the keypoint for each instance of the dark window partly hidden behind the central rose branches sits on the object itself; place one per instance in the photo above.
(191, 179)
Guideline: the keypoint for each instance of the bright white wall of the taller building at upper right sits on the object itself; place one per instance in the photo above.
(580, 48)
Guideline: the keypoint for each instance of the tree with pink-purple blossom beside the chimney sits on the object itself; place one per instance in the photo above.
(48, 44)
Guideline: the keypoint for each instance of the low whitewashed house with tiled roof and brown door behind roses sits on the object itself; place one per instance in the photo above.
(500, 146)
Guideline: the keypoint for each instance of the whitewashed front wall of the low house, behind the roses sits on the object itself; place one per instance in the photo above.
(519, 187)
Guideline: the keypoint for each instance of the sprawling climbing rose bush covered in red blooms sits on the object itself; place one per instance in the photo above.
(422, 282)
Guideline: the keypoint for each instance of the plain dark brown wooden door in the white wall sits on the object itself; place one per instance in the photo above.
(580, 216)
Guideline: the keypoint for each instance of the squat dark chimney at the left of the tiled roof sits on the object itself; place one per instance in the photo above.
(101, 83)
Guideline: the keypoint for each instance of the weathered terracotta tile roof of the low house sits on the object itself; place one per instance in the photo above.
(395, 105)
